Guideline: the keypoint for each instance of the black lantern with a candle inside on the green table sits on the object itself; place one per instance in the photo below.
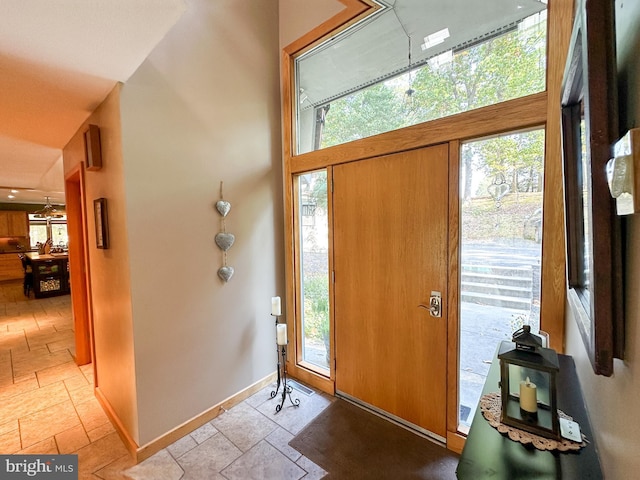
(528, 384)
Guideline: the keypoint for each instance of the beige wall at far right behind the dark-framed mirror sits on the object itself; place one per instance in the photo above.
(612, 402)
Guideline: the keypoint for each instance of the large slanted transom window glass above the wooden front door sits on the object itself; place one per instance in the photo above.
(417, 60)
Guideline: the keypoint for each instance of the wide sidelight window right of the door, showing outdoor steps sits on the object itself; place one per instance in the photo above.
(501, 254)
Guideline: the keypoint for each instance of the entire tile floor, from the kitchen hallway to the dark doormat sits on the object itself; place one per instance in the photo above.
(47, 406)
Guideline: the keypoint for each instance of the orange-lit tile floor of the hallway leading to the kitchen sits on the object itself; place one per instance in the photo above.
(47, 401)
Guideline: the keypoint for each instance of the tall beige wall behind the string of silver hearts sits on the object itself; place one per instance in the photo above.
(203, 108)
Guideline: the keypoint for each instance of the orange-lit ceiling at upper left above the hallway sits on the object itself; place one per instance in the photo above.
(58, 61)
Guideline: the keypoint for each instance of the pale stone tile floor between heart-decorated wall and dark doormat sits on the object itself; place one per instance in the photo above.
(250, 441)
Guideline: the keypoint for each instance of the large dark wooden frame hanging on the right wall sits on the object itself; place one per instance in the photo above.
(589, 128)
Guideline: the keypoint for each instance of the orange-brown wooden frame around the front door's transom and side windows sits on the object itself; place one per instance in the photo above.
(532, 111)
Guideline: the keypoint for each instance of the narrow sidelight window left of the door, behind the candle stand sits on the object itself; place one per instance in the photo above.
(314, 268)
